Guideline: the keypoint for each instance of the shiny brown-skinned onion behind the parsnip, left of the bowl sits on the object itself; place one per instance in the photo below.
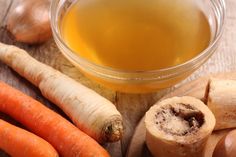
(29, 21)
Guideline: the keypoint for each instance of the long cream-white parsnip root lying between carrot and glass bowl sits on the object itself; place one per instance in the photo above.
(92, 113)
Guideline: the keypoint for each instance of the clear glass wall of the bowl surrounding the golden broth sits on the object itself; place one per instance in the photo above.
(140, 81)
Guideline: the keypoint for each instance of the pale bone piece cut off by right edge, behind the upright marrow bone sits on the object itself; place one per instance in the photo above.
(221, 99)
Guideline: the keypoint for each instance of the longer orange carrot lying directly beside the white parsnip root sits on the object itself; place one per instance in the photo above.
(68, 140)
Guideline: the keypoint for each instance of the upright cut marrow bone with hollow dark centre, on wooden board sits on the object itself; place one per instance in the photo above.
(178, 127)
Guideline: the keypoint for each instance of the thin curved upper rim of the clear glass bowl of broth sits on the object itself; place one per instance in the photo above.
(78, 59)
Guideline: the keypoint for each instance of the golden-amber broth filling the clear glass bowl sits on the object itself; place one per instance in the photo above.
(136, 34)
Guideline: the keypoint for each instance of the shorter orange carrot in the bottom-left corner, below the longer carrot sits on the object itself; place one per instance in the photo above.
(21, 143)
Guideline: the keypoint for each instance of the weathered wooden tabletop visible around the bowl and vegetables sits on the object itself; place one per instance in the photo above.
(131, 106)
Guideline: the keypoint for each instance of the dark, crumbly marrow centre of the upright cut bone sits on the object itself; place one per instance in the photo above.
(179, 119)
